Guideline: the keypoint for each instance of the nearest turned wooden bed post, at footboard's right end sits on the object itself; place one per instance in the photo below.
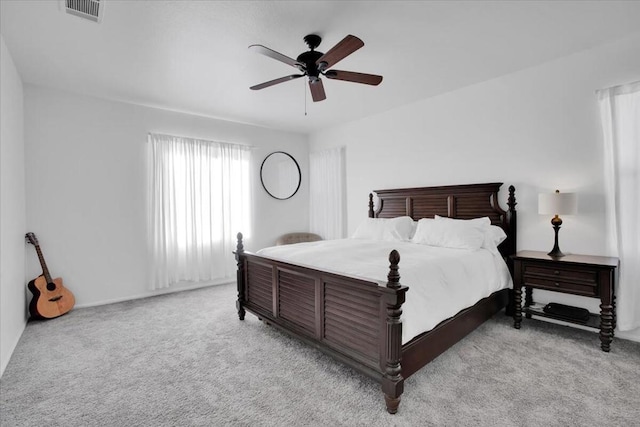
(392, 380)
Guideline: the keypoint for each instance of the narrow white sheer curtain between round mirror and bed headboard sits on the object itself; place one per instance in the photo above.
(327, 193)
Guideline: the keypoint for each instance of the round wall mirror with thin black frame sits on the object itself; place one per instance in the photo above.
(280, 175)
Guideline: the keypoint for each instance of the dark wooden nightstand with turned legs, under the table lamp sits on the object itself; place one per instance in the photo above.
(585, 275)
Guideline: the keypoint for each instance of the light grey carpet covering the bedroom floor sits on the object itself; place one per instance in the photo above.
(185, 359)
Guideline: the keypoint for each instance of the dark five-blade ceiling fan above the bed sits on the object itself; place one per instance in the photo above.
(314, 64)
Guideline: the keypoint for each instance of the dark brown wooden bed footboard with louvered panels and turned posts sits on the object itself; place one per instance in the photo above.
(354, 320)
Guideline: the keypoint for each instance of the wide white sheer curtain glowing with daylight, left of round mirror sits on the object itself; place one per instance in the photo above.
(198, 199)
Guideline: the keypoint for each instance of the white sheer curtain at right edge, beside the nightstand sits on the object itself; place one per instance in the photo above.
(620, 114)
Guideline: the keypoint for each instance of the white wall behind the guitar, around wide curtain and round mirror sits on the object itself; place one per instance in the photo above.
(86, 187)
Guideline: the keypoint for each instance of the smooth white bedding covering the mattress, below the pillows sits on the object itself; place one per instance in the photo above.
(441, 281)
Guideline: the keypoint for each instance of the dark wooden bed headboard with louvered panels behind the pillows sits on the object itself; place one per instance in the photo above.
(453, 201)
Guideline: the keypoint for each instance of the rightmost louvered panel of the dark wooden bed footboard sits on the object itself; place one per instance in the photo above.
(352, 319)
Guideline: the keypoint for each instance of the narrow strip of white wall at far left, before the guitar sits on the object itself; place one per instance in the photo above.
(13, 312)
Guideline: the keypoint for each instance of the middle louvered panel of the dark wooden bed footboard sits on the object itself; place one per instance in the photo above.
(296, 300)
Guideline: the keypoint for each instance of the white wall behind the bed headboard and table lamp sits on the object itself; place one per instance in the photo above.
(537, 129)
